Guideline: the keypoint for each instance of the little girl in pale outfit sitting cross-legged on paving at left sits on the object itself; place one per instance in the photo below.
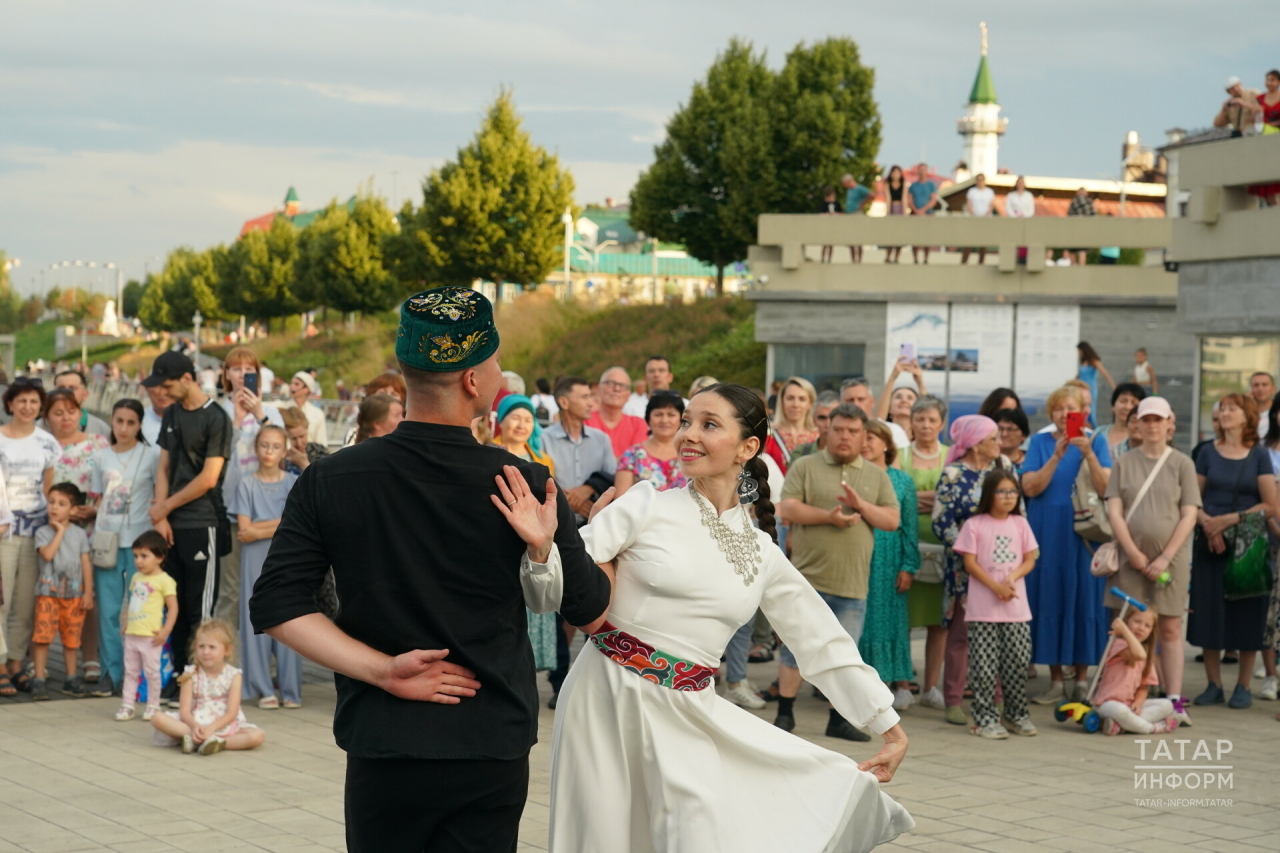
(209, 718)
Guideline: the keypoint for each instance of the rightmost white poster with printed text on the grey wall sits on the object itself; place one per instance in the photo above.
(1046, 354)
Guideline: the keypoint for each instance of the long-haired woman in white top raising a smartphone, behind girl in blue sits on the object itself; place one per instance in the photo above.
(244, 405)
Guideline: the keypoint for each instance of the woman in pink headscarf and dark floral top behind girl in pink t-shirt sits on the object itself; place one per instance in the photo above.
(975, 454)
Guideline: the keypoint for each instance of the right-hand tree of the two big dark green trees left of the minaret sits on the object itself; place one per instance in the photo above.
(825, 122)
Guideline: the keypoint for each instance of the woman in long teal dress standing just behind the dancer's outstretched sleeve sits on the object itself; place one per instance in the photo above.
(886, 641)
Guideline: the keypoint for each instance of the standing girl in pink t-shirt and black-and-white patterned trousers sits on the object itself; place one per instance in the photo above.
(999, 551)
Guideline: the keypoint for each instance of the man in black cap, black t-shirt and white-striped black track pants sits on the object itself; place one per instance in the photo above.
(195, 445)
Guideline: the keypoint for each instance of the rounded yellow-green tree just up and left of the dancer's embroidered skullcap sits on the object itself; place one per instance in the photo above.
(341, 258)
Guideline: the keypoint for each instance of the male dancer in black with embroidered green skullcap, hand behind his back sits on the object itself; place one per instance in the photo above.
(437, 701)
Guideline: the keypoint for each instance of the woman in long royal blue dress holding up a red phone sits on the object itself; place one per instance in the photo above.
(1069, 623)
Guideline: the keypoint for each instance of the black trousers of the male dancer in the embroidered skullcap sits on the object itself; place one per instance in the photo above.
(435, 806)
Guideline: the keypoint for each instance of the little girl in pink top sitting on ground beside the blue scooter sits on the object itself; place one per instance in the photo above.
(1128, 672)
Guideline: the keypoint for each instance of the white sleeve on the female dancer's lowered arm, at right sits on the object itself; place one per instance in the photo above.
(828, 655)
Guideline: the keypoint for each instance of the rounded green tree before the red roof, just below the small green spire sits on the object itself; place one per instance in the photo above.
(259, 273)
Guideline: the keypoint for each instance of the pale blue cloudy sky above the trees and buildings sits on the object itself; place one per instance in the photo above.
(132, 127)
